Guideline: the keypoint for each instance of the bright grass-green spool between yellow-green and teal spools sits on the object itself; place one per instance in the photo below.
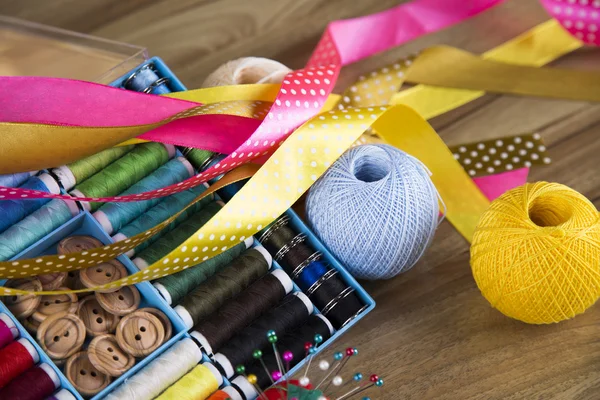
(124, 172)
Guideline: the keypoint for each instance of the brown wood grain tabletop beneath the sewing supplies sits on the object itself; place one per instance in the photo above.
(432, 335)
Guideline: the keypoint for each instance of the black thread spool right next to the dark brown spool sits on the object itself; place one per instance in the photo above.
(290, 314)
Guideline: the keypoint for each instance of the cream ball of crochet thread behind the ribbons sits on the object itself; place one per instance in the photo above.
(247, 70)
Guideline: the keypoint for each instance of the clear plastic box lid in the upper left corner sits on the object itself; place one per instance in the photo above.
(30, 49)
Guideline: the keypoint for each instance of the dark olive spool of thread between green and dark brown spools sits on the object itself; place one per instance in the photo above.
(239, 274)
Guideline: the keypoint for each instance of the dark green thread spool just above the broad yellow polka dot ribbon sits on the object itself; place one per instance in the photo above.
(176, 237)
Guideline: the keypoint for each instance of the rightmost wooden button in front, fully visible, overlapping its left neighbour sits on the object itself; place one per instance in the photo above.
(140, 333)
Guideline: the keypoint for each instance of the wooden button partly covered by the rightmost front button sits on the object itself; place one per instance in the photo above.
(108, 357)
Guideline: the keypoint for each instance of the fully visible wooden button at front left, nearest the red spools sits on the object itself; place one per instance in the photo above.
(61, 335)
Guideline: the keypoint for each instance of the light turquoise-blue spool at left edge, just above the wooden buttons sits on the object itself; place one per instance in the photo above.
(35, 226)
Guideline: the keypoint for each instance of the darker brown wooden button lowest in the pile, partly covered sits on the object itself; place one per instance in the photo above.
(86, 378)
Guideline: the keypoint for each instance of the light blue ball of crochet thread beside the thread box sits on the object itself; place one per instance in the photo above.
(376, 210)
